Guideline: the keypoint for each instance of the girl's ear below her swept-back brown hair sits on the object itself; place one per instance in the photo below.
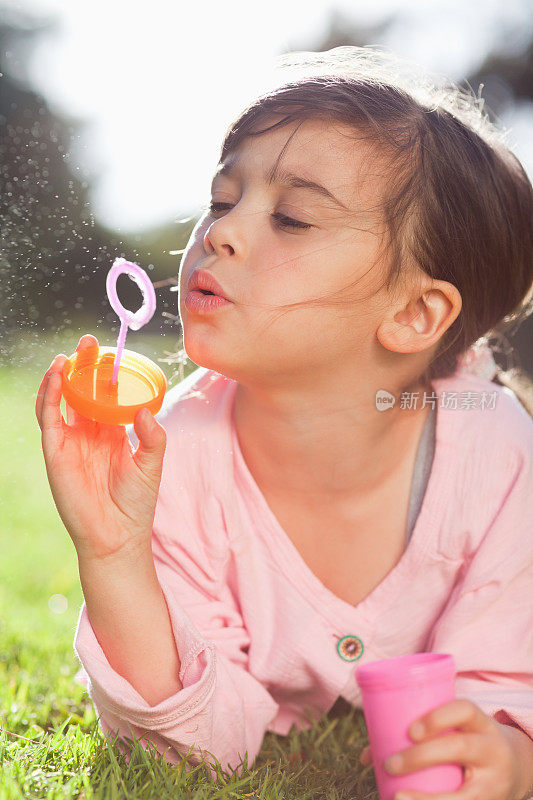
(421, 321)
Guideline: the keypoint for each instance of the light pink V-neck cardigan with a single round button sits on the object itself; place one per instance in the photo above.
(262, 641)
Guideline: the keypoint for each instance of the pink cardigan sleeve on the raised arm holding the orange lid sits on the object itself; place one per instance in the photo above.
(222, 710)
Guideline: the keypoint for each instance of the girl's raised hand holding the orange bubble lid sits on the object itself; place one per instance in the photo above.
(104, 492)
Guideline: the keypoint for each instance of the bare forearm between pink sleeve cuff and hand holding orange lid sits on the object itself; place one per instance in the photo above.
(130, 618)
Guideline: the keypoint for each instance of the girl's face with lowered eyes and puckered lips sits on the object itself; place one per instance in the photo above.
(248, 241)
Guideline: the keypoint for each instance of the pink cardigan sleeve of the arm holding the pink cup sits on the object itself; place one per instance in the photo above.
(487, 624)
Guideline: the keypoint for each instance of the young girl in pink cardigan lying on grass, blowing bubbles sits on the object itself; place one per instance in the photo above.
(336, 483)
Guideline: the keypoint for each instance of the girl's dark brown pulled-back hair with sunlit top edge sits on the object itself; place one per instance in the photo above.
(458, 203)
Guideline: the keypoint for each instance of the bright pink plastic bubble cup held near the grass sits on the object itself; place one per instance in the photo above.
(395, 692)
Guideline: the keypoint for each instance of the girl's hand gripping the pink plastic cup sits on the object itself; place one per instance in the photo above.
(480, 744)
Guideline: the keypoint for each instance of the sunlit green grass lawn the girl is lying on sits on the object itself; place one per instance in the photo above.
(50, 743)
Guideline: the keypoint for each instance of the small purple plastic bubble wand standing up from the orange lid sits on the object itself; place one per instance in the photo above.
(129, 319)
